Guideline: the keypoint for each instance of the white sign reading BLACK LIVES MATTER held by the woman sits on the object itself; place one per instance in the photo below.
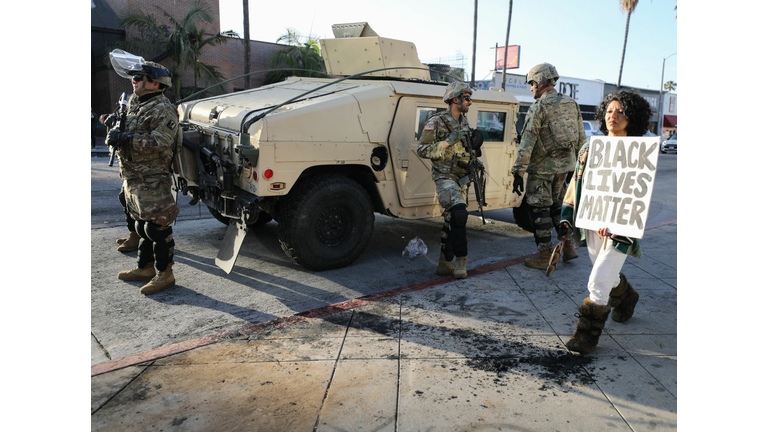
(617, 184)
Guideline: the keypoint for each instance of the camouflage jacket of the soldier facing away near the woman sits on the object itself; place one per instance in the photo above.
(539, 152)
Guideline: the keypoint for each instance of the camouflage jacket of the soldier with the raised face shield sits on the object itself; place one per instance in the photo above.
(154, 124)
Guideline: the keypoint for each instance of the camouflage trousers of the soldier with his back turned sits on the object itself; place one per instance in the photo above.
(545, 193)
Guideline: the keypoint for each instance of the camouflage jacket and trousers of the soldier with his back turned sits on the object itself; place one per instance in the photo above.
(547, 162)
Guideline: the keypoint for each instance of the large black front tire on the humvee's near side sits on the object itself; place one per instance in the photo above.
(326, 222)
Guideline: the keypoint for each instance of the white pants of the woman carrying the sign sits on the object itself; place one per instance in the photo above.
(606, 265)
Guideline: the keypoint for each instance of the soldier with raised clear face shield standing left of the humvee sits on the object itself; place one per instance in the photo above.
(145, 149)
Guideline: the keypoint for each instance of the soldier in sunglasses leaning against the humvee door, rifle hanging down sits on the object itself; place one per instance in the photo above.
(442, 141)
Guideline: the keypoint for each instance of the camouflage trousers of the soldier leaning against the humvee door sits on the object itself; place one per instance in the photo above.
(450, 194)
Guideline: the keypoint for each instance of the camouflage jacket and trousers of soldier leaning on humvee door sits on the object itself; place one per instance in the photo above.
(446, 173)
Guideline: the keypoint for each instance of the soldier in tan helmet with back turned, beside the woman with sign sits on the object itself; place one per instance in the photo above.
(552, 133)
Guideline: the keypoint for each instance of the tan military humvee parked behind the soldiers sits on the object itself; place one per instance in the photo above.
(320, 156)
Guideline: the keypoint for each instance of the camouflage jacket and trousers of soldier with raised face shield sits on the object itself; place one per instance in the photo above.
(145, 168)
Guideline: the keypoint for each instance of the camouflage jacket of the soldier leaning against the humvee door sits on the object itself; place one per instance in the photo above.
(444, 160)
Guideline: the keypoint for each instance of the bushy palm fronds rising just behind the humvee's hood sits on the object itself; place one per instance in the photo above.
(302, 54)
